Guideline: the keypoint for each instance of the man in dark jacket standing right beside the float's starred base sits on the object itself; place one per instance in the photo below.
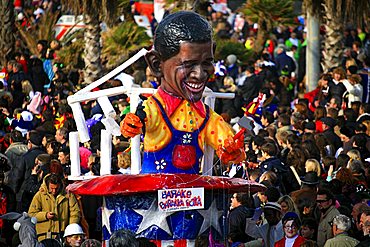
(237, 219)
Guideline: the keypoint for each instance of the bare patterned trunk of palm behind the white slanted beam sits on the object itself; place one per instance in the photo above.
(93, 65)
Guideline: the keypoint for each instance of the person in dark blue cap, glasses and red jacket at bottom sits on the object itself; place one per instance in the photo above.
(291, 225)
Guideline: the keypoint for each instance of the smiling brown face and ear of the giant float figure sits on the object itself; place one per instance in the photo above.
(186, 74)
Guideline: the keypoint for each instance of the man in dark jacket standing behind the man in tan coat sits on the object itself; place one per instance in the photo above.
(23, 171)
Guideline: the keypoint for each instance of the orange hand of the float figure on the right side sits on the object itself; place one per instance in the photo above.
(232, 151)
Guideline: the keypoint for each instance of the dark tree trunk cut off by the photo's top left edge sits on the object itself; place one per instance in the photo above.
(7, 39)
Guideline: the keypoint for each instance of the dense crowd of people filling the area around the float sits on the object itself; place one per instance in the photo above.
(310, 149)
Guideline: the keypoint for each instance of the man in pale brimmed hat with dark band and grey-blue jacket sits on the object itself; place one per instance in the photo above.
(272, 230)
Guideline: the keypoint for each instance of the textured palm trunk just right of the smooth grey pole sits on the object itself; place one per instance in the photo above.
(333, 45)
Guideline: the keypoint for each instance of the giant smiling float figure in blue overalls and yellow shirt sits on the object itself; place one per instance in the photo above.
(177, 123)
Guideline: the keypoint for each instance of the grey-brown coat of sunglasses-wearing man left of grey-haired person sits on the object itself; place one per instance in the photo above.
(325, 230)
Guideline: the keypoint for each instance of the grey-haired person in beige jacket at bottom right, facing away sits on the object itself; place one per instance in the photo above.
(341, 224)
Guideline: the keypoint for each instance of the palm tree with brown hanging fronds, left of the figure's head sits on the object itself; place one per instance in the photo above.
(94, 12)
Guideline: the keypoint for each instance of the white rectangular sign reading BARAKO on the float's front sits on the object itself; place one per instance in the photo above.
(180, 199)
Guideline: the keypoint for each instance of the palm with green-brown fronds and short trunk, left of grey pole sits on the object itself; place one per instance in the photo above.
(267, 14)
